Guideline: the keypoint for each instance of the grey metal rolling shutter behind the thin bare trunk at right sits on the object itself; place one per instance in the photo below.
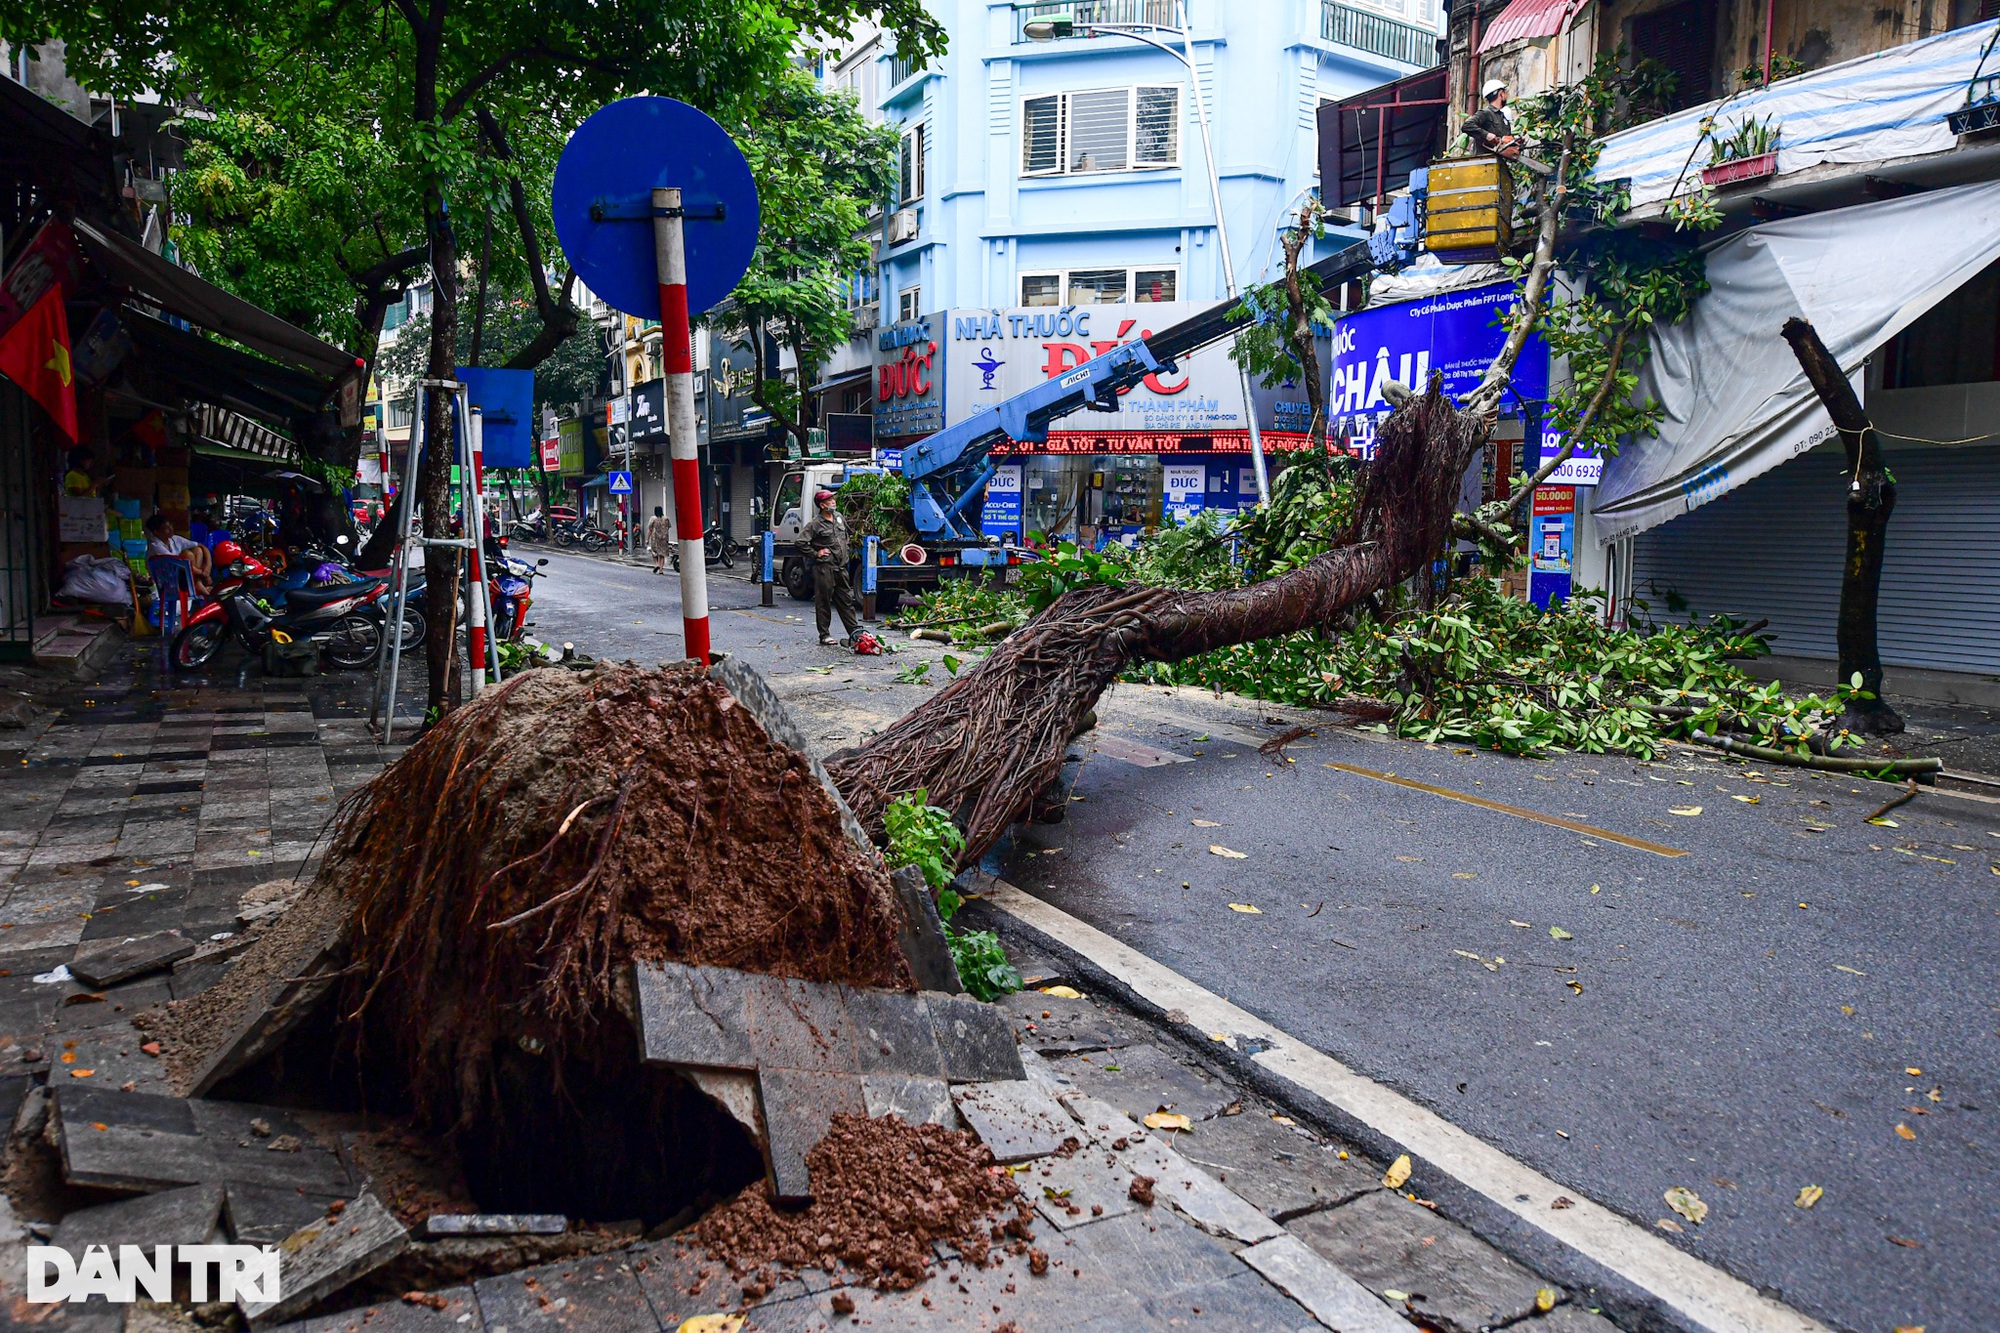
(1773, 549)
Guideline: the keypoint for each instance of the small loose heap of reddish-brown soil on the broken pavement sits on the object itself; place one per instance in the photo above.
(883, 1192)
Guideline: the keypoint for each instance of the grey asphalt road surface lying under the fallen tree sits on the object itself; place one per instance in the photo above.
(1741, 1020)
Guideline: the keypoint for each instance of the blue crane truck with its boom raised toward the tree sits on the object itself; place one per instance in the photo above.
(949, 471)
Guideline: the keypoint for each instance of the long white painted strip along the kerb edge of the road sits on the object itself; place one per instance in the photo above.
(1703, 1294)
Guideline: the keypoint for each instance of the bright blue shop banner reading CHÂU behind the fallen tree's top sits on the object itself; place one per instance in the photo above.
(1453, 333)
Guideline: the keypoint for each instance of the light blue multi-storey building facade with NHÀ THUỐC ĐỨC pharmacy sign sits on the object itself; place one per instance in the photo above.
(1069, 175)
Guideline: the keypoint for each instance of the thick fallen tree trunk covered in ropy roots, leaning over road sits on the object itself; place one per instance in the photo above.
(987, 744)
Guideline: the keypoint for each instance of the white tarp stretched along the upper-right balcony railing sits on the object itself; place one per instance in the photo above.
(1873, 109)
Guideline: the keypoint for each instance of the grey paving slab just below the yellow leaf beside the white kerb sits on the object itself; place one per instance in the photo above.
(1391, 1244)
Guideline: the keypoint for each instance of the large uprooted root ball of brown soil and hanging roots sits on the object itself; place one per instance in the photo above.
(565, 826)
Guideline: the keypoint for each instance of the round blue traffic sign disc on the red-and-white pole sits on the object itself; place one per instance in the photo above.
(603, 203)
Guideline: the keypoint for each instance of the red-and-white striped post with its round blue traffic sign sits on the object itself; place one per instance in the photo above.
(663, 163)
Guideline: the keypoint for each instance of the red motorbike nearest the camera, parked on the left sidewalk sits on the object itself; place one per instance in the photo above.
(347, 619)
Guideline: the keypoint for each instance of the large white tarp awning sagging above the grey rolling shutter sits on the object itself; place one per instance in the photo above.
(1735, 399)
